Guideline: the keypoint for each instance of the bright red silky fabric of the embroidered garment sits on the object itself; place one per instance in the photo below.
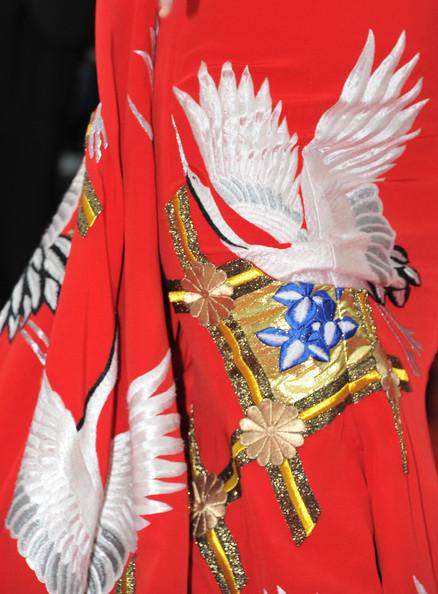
(370, 509)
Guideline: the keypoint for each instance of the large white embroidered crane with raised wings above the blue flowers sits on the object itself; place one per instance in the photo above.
(252, 164)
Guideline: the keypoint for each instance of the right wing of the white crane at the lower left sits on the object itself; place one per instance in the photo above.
(137, 472)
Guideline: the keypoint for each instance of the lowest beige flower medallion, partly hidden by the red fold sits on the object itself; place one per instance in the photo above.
(208, 503)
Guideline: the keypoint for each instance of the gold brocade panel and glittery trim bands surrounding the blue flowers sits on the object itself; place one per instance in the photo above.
(320, 391)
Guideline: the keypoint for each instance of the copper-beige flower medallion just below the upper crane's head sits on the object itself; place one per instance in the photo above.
(207, 293)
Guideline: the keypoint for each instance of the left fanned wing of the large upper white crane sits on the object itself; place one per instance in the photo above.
(249, 155)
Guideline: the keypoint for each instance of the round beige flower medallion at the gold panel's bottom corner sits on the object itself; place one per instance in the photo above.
(271, 432)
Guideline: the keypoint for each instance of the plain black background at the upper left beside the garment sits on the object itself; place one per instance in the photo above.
(47, 93)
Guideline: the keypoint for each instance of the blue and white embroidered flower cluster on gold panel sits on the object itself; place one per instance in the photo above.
(314, 331)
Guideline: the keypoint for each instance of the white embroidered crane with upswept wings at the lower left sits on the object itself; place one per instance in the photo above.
(75, 535)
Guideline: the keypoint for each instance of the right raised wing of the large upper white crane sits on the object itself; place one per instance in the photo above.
(357, 141)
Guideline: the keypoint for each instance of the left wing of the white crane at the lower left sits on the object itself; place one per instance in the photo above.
(55, 508)
